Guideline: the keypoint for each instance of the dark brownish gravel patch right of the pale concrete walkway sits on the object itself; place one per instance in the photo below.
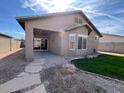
(58, 82)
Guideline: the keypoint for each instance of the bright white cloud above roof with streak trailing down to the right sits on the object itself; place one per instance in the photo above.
(63, 5)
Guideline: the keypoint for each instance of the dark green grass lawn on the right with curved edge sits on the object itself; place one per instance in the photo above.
(108, 65)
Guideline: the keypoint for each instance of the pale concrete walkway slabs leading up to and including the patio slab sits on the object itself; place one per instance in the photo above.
(31, 76)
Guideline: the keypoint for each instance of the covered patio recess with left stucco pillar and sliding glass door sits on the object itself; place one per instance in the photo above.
(40, 40)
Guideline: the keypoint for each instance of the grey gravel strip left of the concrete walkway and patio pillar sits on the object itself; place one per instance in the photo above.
(11, 66)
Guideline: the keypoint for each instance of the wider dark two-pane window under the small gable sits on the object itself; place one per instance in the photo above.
(81, 42)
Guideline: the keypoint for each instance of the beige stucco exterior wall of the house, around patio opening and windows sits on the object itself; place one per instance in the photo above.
(58, 42)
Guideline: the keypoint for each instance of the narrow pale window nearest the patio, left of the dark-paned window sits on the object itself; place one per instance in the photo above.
(72, 41)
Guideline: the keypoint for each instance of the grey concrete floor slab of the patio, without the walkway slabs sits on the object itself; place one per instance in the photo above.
(49, 59)
